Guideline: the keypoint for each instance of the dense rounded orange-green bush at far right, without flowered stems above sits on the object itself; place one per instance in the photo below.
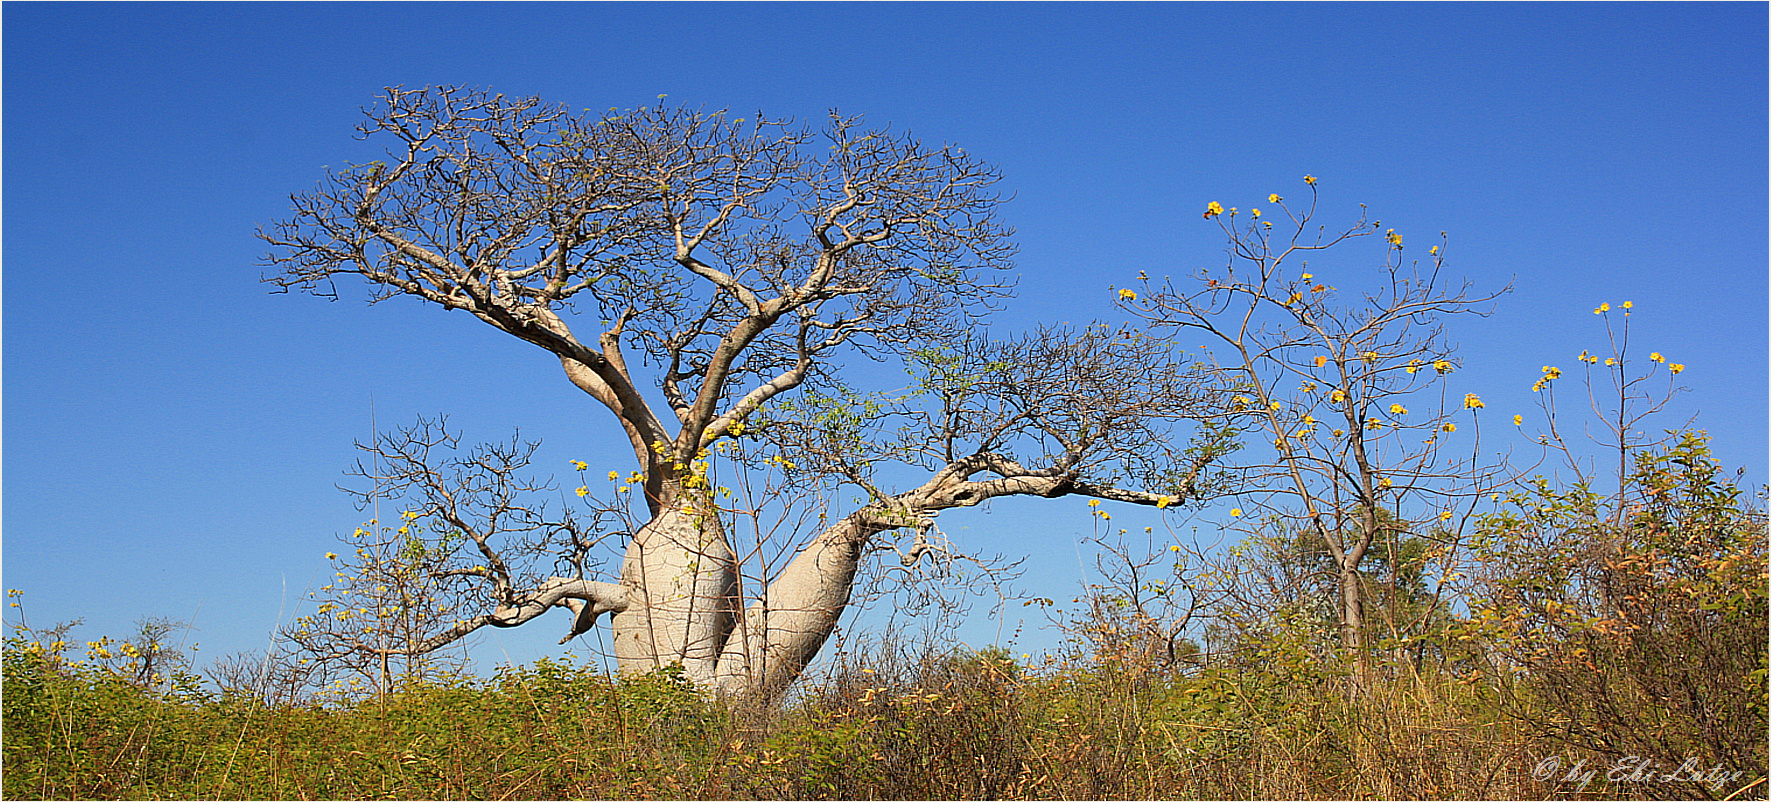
(1636, 635)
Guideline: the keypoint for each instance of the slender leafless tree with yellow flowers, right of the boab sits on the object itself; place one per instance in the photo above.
(1329, 387)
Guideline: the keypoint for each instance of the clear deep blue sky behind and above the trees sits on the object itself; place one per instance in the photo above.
(173, 433)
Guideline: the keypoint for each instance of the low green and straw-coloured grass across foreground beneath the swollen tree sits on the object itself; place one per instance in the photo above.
(913, 727)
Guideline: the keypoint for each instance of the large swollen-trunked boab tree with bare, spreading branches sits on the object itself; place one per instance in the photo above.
(741, 259)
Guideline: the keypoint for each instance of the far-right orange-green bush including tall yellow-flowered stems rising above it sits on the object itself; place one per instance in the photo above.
(1620, 598)
